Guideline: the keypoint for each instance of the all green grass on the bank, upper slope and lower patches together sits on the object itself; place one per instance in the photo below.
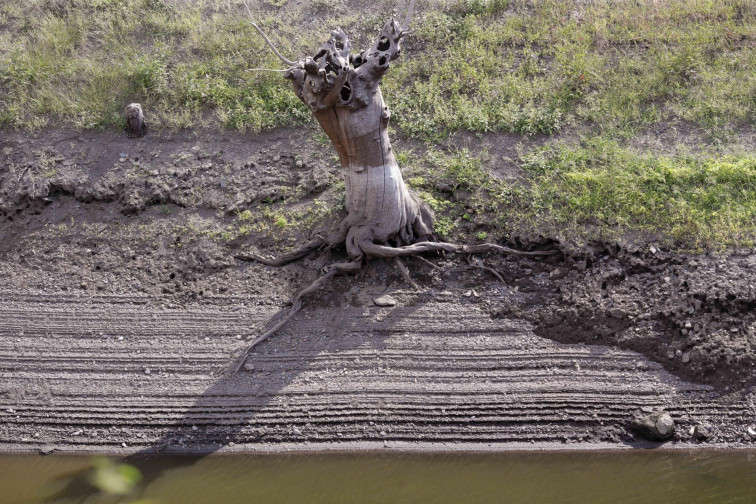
(605, 73)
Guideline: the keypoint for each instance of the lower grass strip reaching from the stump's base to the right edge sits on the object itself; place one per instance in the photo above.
(595, 189)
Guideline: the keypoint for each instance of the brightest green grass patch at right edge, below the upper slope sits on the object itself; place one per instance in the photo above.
(691, 201)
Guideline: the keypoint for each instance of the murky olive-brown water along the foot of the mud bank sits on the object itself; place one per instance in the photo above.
(533, 478)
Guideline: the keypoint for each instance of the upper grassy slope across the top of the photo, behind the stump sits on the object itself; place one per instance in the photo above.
(479, 65)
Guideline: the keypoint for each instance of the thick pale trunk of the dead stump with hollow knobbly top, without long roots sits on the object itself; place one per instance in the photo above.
(343, 92)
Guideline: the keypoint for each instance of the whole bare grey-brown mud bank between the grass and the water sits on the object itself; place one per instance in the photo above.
(122, 306)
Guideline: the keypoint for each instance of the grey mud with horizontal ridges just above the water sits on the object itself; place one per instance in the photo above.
(117, 374)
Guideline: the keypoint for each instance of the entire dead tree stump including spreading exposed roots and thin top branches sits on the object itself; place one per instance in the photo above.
(385, 218)
